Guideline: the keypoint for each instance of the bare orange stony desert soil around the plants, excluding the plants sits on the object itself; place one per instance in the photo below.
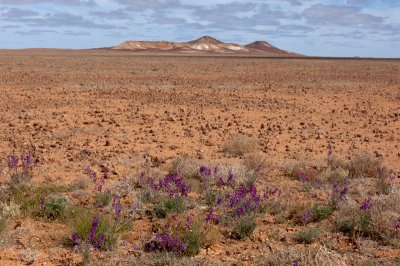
(136, 113)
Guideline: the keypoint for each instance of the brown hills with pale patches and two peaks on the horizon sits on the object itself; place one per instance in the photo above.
(204, 45)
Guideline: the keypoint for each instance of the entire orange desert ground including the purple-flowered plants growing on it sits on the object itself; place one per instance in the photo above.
(163, 189)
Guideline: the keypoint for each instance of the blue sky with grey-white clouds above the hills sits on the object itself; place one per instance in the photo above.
(367, 28)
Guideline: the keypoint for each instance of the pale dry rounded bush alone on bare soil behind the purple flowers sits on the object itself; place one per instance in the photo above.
(238, 145)
